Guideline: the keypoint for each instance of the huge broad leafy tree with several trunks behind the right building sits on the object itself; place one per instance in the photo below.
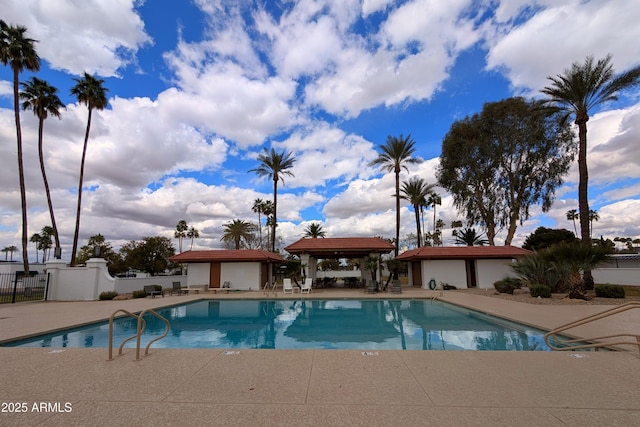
(499, 163)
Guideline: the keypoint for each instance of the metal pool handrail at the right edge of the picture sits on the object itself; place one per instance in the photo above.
(571, 344)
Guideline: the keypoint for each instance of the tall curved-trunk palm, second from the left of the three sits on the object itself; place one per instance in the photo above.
(42, 98)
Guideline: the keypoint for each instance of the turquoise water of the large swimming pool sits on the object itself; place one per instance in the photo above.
(311, 324)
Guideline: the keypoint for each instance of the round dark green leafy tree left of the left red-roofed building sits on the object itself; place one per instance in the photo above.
(151, 254)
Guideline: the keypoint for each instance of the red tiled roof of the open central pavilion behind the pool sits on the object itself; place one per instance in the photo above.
(340, 247)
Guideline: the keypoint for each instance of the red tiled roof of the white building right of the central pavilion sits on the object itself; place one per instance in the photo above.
(463, 252)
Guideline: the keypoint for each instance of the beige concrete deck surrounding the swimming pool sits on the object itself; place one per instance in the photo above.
(316, 387)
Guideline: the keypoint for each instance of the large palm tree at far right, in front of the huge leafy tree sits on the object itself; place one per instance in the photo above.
(580, 89)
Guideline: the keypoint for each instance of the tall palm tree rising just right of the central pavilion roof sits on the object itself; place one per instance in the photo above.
(394, 156)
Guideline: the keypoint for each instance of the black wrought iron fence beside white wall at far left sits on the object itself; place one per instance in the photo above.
(18, 287)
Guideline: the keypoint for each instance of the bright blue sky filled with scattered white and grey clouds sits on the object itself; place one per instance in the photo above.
(198, 88)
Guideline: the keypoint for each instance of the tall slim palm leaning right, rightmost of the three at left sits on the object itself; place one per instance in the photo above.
(89, 91)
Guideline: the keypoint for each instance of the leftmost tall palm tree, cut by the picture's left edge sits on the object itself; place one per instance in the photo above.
(18, 51)
